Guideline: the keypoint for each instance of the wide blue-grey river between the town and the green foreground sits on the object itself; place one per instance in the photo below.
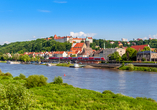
(130, 83)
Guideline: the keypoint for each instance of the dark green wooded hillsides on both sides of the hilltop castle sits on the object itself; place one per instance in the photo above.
(39, 45)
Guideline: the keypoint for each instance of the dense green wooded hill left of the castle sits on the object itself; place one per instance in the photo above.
(34, 46)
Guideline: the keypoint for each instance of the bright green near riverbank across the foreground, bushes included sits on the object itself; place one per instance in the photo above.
(63, 96)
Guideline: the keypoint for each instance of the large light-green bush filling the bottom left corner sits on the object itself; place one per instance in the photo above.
(15, 97)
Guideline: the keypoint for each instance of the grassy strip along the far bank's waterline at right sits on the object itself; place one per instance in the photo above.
(136, 68)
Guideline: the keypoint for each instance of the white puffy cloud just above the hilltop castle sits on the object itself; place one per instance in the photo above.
(80, 34)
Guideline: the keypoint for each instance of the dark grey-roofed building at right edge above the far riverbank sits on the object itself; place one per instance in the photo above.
(147, 55)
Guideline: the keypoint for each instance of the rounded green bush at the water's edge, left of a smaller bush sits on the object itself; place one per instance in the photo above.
(36, 81)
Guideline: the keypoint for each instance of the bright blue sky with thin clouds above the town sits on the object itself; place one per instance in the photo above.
(22, 20)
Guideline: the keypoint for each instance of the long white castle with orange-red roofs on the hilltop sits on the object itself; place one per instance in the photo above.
(71, 39)
